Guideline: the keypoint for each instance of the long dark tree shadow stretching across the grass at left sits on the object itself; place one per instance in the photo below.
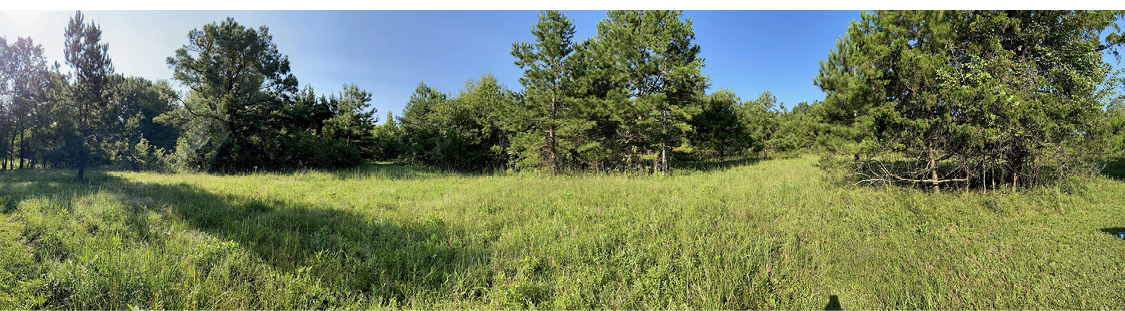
(350, 253)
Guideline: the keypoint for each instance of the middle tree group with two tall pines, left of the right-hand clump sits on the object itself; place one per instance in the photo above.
(631, 99)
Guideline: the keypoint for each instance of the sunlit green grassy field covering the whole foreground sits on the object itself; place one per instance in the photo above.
(771, 235)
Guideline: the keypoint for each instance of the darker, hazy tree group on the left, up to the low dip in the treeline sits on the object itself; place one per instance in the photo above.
(242, 109)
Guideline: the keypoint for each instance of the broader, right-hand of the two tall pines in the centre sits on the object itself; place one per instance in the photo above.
(656, 77)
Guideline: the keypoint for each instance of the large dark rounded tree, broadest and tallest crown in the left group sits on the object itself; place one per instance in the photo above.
(239, 85)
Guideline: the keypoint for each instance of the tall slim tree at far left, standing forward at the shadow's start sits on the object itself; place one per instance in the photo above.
(93, 68)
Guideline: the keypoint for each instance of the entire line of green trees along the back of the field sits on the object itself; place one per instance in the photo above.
(926, 99)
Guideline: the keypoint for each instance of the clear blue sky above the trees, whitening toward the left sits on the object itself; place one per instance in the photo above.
(388, 54)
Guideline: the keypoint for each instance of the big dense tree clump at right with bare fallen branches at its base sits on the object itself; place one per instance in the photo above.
(982, 99)
